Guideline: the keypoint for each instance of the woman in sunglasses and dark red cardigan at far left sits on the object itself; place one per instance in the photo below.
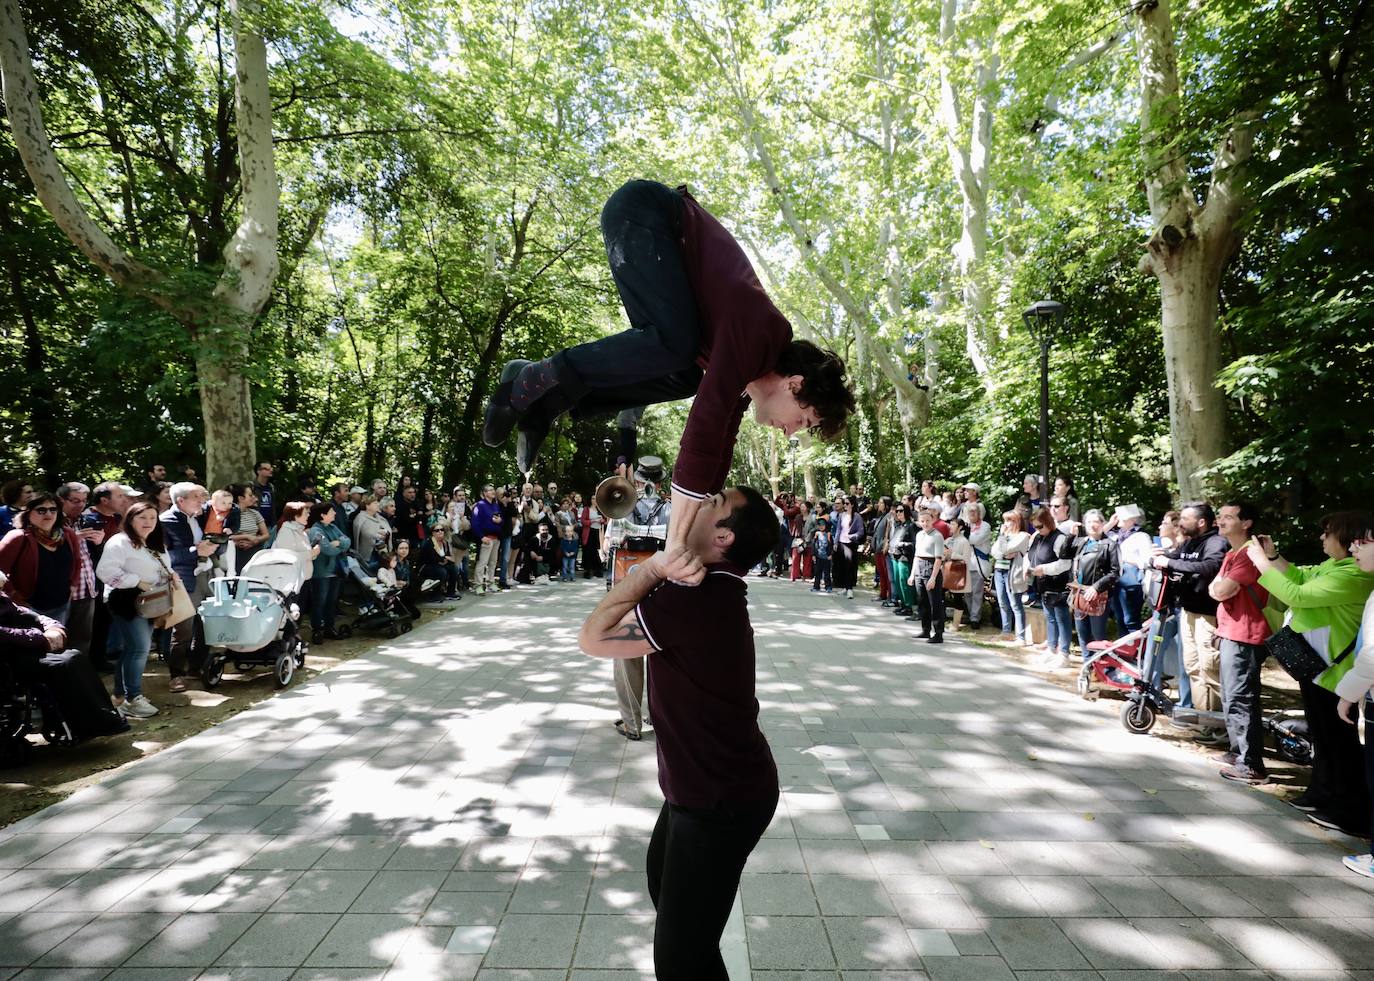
(39, 556)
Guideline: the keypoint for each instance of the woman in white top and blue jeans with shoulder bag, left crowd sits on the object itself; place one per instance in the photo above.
(134, 563)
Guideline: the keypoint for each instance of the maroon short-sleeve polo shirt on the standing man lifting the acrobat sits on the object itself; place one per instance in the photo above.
(701, 693)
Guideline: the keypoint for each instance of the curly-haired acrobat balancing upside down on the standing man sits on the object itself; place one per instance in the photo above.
(701, 325)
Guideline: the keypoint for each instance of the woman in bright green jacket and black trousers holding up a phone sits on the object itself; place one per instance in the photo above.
(1327, 602)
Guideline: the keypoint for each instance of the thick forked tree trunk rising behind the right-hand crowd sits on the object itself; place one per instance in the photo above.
(1189, 248)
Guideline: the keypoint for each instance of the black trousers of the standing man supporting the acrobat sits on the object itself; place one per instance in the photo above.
(695, 864)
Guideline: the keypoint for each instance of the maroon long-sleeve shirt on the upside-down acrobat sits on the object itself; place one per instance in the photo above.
(743, 337)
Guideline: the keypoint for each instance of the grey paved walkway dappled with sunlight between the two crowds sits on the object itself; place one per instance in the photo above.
(458, 806)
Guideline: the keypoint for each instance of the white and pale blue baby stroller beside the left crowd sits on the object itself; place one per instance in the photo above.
(252, 619)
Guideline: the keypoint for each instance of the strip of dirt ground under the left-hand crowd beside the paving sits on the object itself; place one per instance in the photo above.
(53, 773)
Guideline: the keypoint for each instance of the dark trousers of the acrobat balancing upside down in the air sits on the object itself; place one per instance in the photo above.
(656, 359)
